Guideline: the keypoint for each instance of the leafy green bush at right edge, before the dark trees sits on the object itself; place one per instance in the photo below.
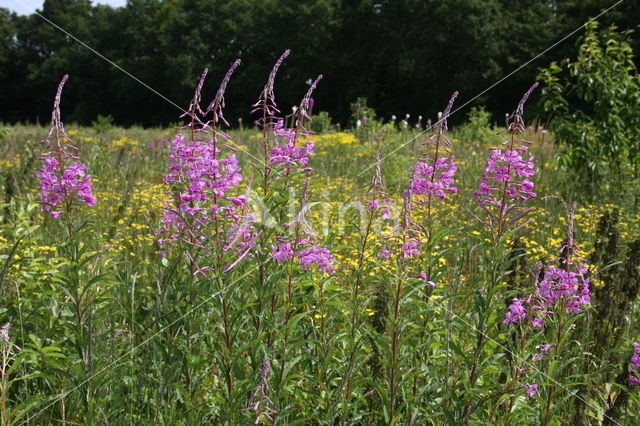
(594, 102)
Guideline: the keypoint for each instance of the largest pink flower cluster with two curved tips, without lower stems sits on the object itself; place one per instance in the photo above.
(200, 177)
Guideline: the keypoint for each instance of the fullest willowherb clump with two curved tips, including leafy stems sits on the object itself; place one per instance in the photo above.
(210, 223)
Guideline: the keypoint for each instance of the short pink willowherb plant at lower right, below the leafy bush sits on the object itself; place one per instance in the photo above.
(548, 319)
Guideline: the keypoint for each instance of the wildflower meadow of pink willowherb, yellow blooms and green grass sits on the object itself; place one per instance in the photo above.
(288, 271)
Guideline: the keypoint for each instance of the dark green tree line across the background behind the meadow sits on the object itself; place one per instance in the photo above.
(404, 56)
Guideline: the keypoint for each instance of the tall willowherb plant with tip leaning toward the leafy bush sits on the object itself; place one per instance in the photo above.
(504, 186)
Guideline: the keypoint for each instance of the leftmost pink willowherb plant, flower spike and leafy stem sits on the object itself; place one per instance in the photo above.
(65, 189)
